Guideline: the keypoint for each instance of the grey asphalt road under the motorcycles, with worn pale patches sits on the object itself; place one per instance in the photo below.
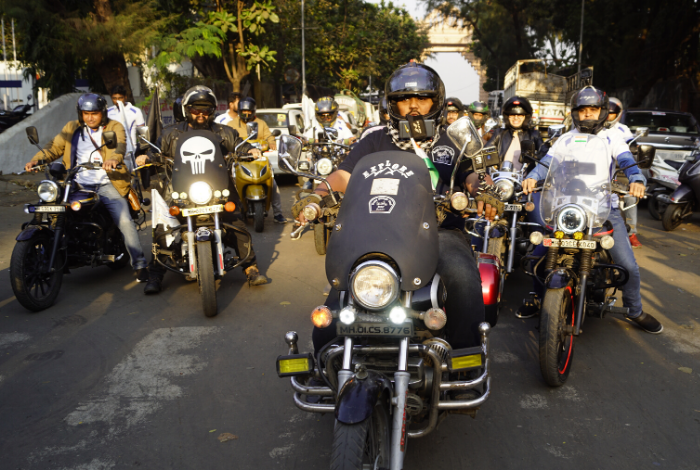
(109, 378)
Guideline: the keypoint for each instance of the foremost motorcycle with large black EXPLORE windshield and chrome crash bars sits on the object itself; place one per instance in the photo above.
(382, 260)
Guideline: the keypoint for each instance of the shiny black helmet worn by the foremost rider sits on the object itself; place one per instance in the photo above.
(414, 79)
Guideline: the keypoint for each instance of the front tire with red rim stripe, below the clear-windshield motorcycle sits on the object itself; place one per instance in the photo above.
(556, 348)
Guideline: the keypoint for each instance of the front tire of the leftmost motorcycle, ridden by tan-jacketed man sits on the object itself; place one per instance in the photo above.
(35, 290)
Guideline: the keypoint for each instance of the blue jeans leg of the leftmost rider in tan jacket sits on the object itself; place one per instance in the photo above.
(118, 208)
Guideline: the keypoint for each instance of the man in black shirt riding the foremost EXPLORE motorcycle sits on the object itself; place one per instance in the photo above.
(417, 90)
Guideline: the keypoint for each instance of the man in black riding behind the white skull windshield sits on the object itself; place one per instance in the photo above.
(199, 105)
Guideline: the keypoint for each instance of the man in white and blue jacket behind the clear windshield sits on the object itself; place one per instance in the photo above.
(589, 111)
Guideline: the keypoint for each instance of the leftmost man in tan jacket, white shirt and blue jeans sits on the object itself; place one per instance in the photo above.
(75, 144)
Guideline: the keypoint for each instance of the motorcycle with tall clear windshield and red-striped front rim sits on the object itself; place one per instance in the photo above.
(581, 278)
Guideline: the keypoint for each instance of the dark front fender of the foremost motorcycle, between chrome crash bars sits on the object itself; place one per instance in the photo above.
(357, 398)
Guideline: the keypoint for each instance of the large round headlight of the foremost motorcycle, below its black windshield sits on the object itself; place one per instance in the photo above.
(374, 284)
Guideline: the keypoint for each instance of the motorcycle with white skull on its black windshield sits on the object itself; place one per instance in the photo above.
(193, 229)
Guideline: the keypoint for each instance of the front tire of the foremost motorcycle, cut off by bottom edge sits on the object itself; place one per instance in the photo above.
(357, 446)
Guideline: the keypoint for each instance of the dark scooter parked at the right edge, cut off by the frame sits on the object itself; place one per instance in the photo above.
(682, 202)
